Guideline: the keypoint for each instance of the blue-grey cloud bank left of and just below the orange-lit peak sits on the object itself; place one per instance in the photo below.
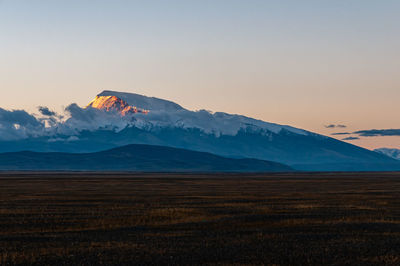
(19, 124)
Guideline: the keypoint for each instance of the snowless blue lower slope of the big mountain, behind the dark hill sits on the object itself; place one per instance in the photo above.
(310, 153)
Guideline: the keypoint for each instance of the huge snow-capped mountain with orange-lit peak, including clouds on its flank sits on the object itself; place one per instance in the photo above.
(116, 119)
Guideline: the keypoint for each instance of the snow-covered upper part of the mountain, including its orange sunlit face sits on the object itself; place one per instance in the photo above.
(163, 113)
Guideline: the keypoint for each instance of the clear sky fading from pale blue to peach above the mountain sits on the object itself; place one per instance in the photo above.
(308, 64)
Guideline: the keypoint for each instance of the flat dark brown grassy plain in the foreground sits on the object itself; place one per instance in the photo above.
(123, 219)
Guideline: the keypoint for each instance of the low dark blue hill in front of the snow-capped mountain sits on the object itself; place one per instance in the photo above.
(146, 158)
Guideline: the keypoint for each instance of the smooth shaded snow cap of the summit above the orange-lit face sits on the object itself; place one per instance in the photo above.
(143, 102)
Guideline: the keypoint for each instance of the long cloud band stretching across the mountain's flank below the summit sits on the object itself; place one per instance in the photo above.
(77, 119)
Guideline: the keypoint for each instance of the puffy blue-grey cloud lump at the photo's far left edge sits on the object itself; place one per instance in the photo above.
(18, 124)
